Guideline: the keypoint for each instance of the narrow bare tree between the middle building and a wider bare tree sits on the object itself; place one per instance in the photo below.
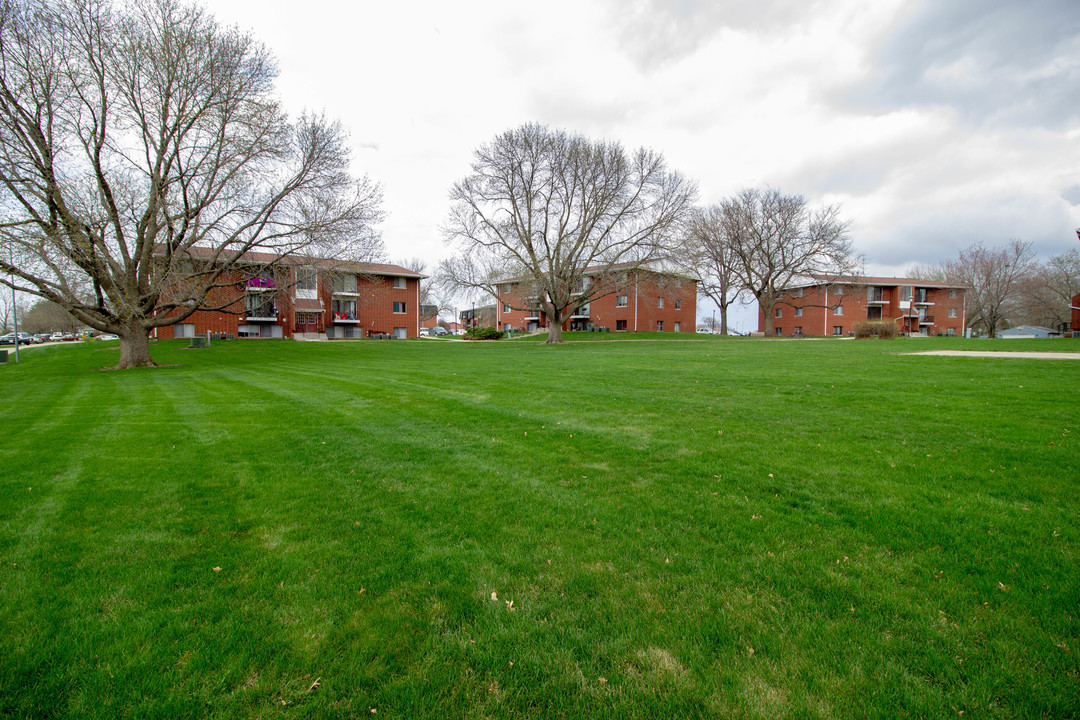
(711, 256)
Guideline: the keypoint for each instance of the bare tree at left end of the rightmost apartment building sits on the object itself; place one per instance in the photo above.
(777, 241)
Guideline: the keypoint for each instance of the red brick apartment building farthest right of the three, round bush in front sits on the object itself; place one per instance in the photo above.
(919, 307)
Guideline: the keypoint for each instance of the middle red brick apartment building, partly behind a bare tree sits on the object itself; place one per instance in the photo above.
(638, 301)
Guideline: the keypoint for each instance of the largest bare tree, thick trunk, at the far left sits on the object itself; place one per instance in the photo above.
(143, 156)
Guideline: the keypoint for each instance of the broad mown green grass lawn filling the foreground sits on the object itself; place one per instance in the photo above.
(720, 528)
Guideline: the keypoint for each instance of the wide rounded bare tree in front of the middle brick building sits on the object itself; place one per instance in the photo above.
(562, 216)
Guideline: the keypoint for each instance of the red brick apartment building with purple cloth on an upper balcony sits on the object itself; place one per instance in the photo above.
(312, 300)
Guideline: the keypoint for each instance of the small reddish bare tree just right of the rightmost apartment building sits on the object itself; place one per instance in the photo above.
(994, 277)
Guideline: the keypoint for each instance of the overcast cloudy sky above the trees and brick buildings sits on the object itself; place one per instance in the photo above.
(933, 124)
